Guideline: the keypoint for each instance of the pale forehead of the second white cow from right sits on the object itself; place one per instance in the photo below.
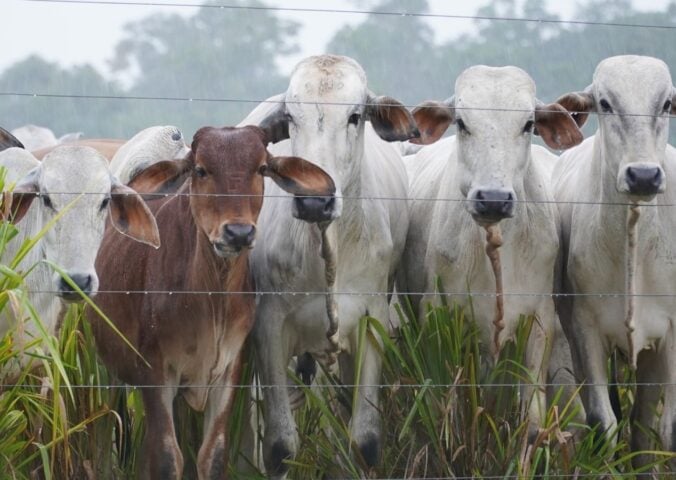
(493, 89)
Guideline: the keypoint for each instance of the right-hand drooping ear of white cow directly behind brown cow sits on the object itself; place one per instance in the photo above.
(390, 119)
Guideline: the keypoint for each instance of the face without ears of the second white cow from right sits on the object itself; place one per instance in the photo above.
(495, 117)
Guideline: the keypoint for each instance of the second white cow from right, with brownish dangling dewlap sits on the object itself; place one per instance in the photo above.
(499, 179)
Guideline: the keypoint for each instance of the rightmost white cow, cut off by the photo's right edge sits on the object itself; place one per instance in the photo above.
(624, 175)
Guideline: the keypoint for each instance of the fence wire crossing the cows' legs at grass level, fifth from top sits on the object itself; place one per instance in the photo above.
(449, 386)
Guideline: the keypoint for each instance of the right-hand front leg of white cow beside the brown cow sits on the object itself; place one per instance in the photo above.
(365, 423)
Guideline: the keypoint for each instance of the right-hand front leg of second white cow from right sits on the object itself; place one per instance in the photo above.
(537, 358)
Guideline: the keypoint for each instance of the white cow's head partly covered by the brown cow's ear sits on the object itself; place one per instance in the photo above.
(323, 113)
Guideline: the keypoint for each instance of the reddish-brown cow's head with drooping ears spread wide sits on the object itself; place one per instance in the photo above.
(225, 168)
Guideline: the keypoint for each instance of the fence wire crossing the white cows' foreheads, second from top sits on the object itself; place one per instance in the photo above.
(299, 102)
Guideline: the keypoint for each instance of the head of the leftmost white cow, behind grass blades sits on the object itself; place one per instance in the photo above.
(75, 183)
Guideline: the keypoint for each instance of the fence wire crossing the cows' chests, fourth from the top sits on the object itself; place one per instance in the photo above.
(370, 294)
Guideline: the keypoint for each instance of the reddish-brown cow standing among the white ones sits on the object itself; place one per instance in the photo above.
(192, 340)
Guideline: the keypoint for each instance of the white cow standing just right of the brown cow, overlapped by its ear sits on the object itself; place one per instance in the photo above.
(331, 118)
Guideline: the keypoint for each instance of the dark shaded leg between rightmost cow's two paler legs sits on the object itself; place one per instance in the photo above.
(645, 404)
